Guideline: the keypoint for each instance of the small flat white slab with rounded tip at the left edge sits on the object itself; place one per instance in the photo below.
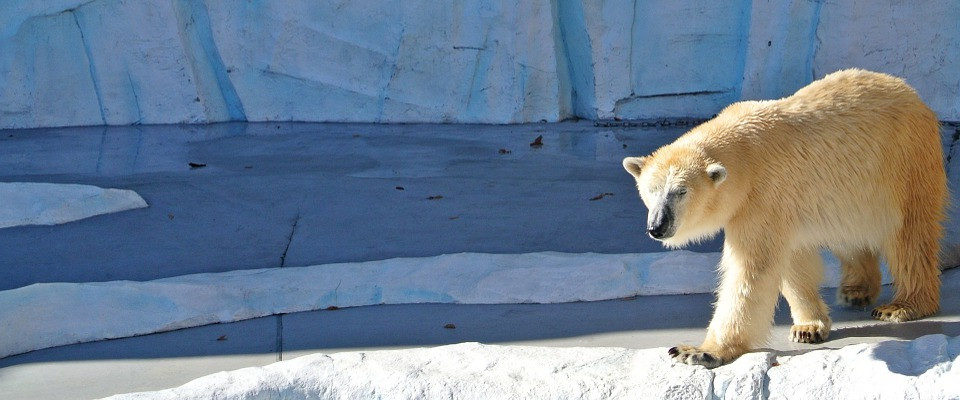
(32, 203)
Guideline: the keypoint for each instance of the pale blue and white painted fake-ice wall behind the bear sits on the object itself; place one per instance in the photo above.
(116, 62)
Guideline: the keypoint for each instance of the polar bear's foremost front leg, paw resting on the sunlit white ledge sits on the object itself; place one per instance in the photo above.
(748, 294)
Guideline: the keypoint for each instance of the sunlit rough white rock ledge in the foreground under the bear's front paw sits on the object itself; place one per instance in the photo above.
(922, 368)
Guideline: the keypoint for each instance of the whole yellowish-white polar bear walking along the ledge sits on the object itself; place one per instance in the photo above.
(851, 163)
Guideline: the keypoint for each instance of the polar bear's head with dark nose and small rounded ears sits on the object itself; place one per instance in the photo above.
(683, 191)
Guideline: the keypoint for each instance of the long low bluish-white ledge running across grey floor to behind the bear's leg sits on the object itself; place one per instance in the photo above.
(52, 314)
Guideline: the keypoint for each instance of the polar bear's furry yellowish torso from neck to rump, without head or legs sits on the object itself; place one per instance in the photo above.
(844, 160)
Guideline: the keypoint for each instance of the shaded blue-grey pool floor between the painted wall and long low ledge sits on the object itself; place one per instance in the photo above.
(337, 182)
